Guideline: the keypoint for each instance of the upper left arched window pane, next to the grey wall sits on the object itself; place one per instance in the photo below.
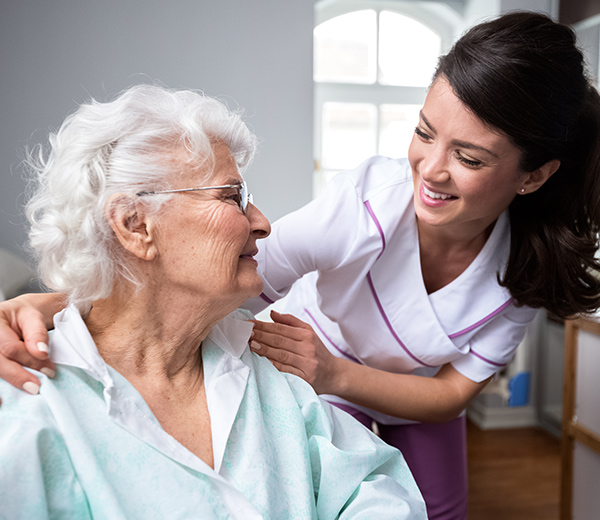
(345, 48)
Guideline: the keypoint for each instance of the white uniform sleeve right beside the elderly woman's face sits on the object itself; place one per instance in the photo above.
(318, 236)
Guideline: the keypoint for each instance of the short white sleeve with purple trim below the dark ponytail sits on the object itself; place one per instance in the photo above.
(494, 346)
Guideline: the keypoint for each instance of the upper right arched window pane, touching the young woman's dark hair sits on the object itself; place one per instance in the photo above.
(408, 51)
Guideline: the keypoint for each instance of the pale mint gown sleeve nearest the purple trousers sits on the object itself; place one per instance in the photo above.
(355, 474)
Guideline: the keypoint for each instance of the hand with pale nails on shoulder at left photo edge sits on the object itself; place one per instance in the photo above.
(24, 338)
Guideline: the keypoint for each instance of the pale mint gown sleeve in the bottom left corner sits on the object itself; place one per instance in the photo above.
(37, 479)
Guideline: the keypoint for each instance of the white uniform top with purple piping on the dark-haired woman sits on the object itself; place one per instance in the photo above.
(354, 253)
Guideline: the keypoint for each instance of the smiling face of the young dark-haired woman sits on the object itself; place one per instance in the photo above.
(465, 174)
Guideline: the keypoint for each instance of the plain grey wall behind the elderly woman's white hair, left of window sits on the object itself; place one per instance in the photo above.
(55, 54)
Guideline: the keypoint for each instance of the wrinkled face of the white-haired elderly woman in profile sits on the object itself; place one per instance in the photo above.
(205, 242)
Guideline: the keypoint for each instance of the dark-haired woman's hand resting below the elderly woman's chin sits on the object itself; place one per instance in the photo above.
(293, 347)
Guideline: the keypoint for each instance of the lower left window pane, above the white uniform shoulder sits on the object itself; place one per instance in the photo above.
(349, 134)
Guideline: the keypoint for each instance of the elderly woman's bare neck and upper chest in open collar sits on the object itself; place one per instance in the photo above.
(154, 339)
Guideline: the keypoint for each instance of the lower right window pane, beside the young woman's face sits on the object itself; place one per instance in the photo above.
(396, 128)
